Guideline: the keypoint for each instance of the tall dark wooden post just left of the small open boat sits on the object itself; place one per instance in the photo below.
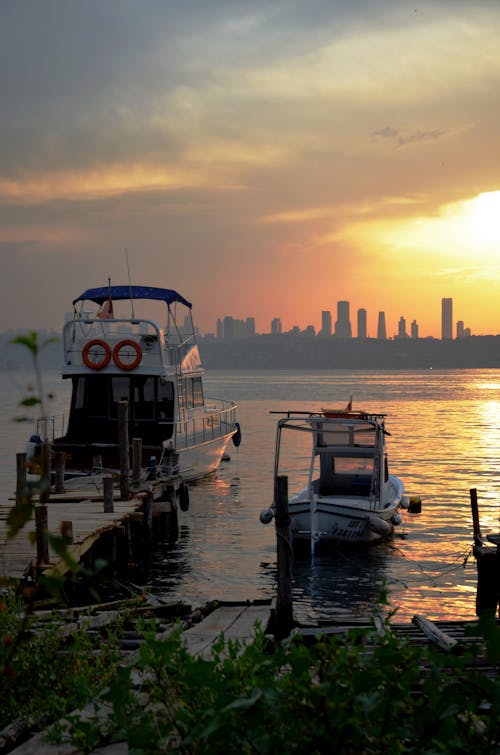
(284, 606)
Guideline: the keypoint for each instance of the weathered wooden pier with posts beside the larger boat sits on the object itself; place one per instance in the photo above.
(86, 521)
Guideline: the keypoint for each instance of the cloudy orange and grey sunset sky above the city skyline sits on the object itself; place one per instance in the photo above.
(263, 158)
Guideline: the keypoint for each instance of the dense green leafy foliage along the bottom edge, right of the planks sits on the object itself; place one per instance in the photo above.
(334, 694)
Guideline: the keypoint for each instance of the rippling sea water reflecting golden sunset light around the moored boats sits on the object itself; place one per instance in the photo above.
(445, 440)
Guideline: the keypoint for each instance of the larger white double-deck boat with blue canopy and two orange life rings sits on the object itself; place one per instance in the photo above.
(111, 357)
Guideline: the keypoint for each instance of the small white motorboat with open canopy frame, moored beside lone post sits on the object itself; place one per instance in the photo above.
(349, 495)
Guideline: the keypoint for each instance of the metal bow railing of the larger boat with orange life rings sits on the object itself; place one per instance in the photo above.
(218, 420)
